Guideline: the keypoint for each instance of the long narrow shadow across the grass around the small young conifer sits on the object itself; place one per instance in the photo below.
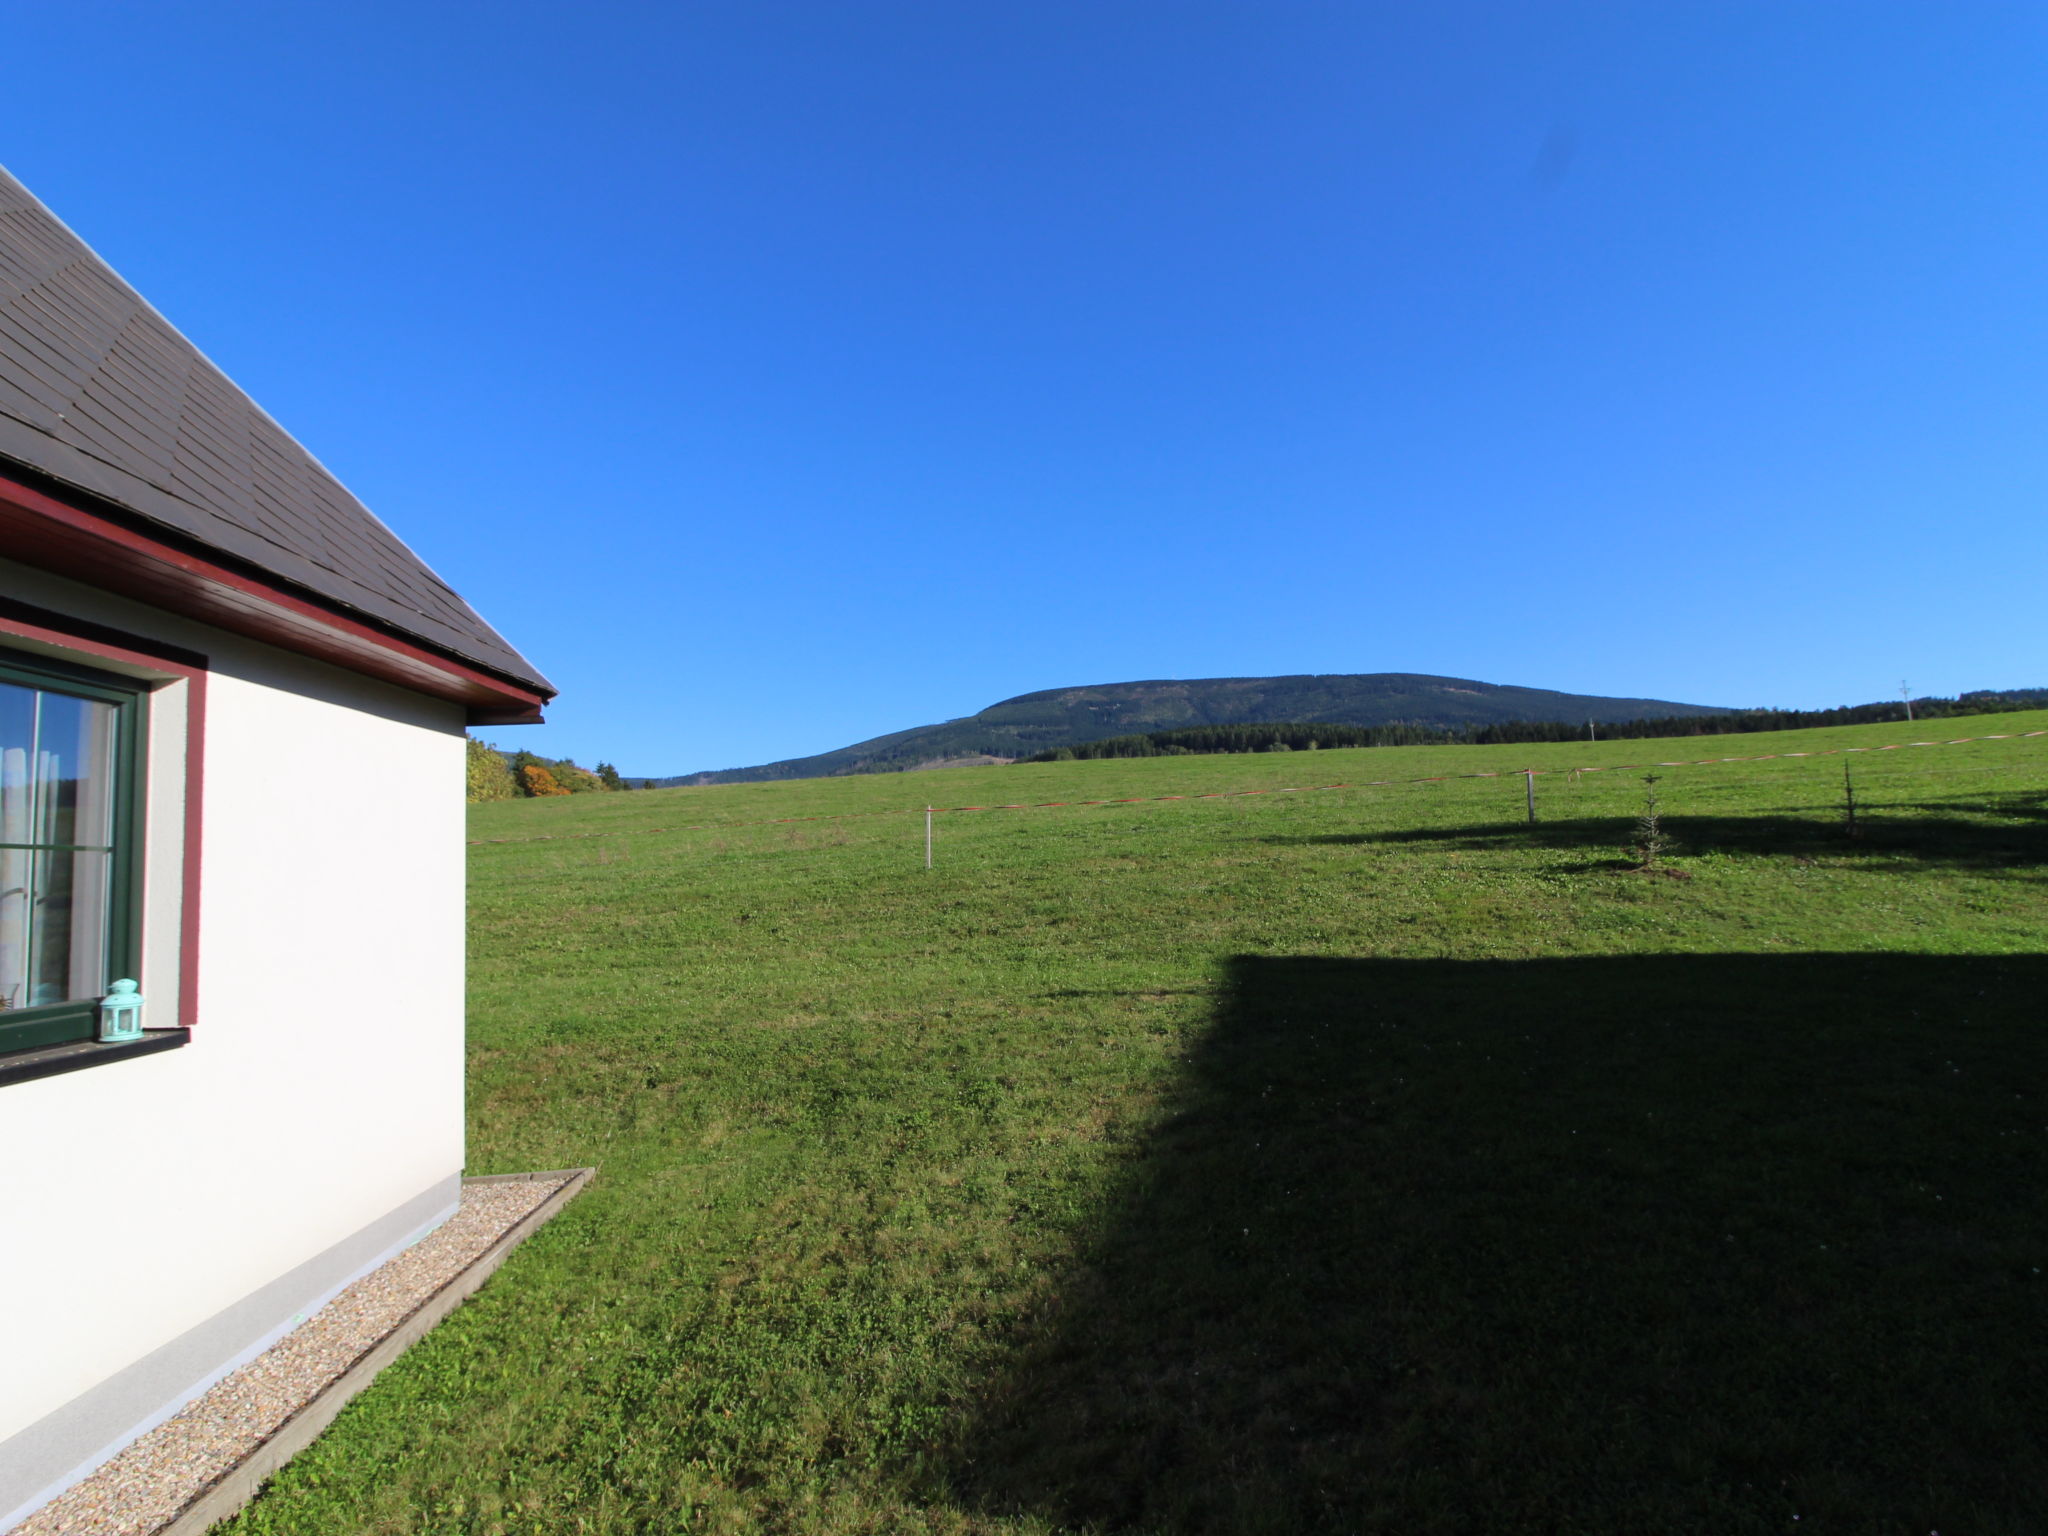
(1938, 837)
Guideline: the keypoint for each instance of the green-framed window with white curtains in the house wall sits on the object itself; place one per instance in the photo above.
(44, 849)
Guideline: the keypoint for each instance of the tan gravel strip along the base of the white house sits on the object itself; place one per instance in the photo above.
(146, 1486)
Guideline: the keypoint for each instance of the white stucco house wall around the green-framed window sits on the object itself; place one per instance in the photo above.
(325, 1082)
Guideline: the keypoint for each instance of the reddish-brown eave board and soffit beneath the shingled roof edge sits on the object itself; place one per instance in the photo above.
(118, 556)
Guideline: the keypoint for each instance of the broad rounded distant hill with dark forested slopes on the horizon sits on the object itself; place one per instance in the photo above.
(1062, 718)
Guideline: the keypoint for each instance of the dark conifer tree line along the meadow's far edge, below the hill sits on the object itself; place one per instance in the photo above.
(1312, 736)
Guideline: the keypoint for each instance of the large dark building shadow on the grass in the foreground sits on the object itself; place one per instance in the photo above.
(1678, 1244)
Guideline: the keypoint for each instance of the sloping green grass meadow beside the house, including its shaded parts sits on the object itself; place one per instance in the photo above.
(1347, 1160)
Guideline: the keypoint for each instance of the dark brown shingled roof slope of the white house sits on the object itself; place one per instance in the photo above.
(99, 392)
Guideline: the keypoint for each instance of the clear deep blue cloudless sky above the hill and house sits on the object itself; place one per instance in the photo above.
(779, 376)
